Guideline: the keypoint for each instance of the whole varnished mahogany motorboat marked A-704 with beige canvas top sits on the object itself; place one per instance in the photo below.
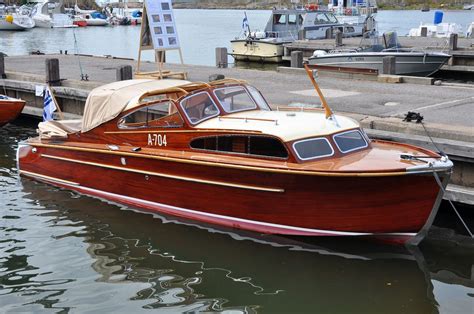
(216, 153)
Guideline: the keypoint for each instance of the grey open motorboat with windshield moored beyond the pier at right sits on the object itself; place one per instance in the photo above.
(407, 61)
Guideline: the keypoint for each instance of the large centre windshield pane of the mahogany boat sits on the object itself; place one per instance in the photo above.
(234, 98)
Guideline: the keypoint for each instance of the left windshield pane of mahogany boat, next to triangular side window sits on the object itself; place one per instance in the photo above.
(199, 107)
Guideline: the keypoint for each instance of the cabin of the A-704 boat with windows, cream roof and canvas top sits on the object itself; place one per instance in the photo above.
(221, 118)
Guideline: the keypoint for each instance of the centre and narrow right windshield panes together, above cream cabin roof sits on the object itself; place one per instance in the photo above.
(238, 98)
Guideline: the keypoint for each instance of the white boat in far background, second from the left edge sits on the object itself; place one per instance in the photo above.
(51, 14)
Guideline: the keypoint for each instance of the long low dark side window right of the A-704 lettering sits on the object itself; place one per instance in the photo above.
(241, 144)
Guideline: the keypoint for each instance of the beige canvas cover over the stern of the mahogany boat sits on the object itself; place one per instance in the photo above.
(106, 102)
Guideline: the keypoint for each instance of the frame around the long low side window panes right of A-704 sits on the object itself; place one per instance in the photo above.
(248, 146)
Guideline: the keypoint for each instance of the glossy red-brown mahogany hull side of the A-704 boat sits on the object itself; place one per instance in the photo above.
(277, 203)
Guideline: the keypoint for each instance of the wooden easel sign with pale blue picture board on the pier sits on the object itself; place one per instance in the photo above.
(158, 33)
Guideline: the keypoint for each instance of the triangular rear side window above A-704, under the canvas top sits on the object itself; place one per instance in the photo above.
(160, 115)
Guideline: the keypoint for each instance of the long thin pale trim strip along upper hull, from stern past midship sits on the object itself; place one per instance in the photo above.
(168, 176)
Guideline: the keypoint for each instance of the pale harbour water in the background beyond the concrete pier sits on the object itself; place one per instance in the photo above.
(200, 32)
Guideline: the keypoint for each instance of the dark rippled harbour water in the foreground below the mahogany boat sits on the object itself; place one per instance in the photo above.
(65, 252)
